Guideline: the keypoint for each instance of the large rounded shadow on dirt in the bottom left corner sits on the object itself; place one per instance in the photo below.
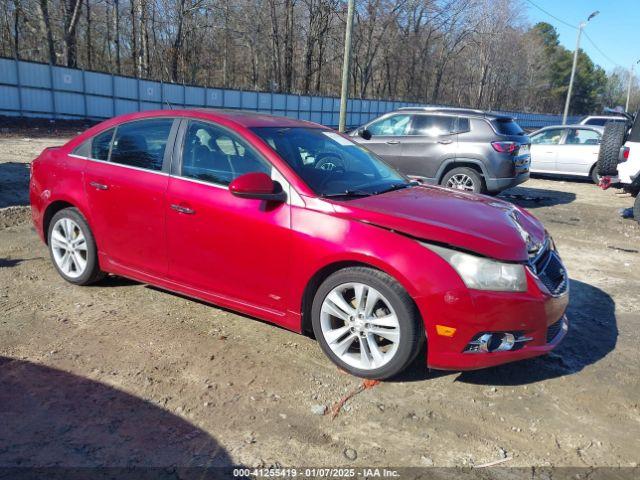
(52, 418)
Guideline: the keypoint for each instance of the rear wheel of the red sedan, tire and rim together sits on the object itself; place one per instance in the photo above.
(73, 248)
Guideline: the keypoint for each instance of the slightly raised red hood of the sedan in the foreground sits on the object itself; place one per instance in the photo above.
(476, 223)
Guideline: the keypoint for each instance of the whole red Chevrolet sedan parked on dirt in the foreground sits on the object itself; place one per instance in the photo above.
(295, 224)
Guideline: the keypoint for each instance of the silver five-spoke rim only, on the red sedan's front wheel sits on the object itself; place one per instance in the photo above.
(360, 326)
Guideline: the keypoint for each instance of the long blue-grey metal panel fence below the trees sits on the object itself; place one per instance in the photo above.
(32, 89)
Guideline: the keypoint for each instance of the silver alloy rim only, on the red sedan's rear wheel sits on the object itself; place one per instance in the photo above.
(69, 247)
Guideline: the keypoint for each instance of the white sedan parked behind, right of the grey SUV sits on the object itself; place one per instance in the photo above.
(566, 150)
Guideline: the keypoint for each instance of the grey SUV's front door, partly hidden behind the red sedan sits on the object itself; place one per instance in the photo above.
(387, 135)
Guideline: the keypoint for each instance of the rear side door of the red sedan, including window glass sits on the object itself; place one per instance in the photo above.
(126, 181)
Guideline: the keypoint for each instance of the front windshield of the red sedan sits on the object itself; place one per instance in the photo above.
(331, 164)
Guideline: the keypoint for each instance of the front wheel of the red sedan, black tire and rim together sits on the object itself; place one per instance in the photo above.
(366, 323)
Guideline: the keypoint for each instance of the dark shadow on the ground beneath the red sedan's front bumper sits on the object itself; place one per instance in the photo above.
(593, 333)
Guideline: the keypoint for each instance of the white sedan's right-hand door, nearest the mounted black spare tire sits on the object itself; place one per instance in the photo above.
(579, 151)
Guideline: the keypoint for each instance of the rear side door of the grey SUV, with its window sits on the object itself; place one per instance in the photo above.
(432, 139)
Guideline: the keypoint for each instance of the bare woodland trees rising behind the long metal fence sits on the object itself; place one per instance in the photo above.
(476, 53)
